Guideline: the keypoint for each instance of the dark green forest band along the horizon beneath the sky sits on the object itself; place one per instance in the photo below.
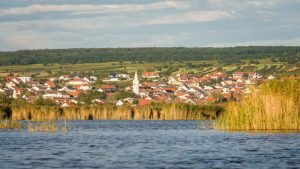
(93, 55)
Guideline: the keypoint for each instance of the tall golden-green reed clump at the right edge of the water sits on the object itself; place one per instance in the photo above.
(275, 106)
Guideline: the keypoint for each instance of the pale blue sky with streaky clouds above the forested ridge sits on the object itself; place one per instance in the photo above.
(47, 24)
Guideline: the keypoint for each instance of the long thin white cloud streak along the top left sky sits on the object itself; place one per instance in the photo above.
(87, 8)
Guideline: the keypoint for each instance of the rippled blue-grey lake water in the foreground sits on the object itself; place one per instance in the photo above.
(148, 144)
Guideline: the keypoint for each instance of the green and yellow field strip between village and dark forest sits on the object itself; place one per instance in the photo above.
(264, 66)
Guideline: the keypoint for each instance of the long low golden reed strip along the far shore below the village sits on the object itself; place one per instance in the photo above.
(156, 111)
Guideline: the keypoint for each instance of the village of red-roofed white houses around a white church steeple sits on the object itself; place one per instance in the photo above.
(148, 87)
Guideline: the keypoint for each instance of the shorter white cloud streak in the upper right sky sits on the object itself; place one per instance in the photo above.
(195, 16)
